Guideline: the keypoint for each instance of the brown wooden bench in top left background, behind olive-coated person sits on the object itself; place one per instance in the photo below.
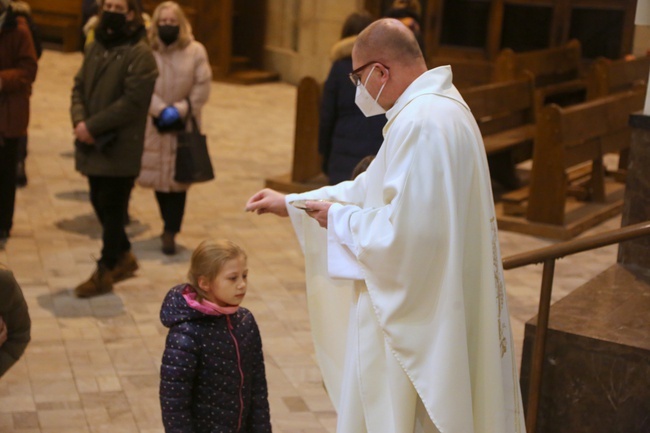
(59, 20)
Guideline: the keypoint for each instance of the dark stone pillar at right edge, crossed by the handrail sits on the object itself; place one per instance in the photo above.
(636, 208)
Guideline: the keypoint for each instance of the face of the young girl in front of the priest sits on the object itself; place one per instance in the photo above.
(229, 286)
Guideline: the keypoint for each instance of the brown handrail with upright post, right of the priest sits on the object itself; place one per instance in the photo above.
(548, 255)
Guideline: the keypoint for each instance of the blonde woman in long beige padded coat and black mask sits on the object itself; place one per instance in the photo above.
(185, 74)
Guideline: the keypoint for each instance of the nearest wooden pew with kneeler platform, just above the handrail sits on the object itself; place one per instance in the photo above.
(566, 138)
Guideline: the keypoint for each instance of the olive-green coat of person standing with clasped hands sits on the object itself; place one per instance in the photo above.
(111, 93)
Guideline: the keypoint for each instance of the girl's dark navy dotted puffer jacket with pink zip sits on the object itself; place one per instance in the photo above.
(212, 373)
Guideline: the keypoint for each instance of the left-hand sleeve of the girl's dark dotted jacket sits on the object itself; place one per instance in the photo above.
(177, 373)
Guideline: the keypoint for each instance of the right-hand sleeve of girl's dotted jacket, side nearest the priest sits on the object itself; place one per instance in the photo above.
(259, 416)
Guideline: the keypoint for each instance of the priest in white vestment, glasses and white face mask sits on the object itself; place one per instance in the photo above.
(404, 278)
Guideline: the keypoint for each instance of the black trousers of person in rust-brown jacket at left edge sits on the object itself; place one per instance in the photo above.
(8, 159)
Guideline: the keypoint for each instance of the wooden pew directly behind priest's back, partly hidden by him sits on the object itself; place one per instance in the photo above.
(505, 113)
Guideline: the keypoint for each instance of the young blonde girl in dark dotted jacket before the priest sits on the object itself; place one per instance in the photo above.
(212, 374)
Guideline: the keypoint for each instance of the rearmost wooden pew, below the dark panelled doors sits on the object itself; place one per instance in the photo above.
(556, 71)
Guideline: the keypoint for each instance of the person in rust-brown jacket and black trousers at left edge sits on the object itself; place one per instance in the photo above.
(18, 66)
